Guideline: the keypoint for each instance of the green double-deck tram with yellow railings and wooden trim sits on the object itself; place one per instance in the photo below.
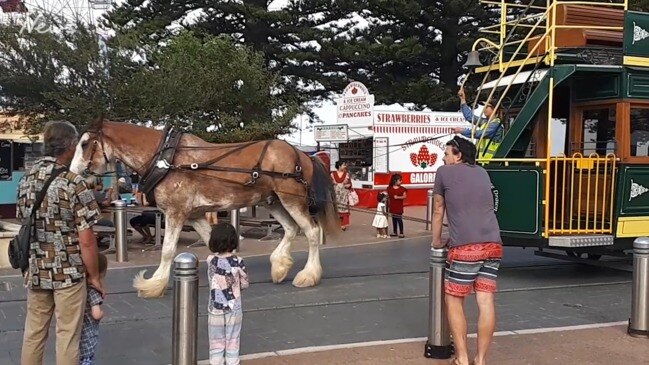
(570, 82)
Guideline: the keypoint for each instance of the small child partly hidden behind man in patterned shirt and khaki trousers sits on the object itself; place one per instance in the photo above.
(91, 317)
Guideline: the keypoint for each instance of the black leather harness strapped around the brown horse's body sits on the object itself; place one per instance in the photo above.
(162, 163)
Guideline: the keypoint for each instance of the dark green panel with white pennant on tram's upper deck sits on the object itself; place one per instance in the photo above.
(636, 38)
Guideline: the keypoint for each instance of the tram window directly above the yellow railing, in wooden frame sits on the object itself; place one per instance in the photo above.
(599, 132)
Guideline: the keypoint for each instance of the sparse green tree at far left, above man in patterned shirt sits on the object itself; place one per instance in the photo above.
(45, 76)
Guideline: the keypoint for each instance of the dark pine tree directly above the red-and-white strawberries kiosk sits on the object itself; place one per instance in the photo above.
(413, 50)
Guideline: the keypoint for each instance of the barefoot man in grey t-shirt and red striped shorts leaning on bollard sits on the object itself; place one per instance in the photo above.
(463, 190)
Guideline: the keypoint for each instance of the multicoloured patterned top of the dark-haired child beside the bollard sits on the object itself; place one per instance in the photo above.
(227, 276)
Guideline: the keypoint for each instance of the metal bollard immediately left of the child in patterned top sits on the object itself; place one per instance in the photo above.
(185, 312)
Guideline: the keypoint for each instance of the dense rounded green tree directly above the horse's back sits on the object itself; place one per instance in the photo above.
(196, 83)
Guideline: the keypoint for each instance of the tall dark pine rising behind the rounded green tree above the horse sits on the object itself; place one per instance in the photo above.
(289, 39)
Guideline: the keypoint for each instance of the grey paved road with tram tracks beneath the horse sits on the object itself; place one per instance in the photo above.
(368, 293)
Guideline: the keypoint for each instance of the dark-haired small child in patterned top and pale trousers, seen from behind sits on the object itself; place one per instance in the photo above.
(227, 276)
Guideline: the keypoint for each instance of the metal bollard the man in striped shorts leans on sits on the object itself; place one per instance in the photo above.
(439, 344)
